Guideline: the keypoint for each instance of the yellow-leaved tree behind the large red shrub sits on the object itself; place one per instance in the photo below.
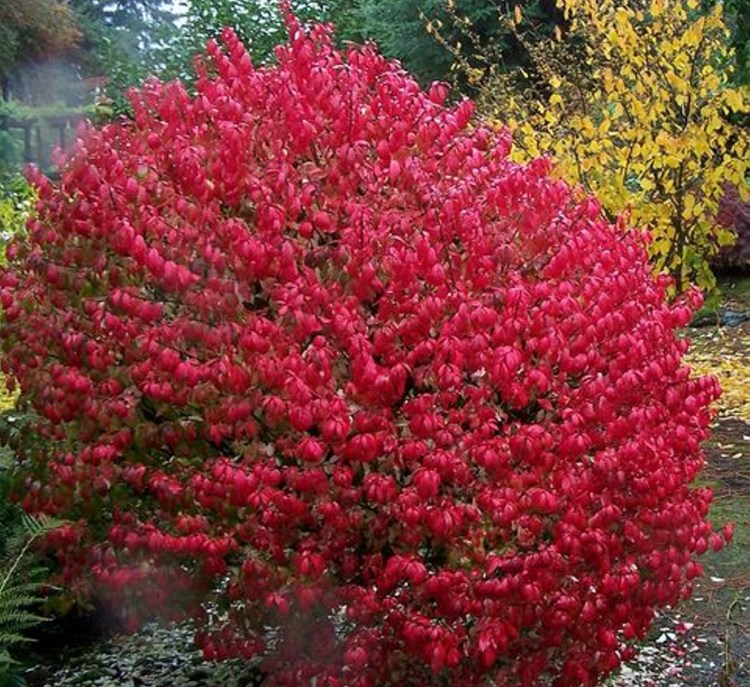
(636, 104)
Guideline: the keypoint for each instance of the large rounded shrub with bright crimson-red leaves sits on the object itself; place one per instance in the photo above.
(309, 345)
